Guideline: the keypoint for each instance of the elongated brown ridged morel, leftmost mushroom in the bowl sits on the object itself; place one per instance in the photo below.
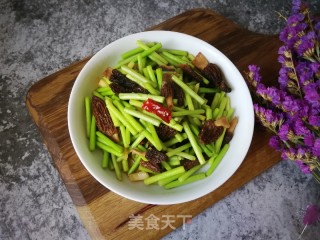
(103, 118)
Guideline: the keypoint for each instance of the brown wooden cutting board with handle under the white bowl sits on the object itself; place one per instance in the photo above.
(107, 215)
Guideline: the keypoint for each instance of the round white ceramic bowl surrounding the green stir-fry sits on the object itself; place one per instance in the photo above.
(87, 81)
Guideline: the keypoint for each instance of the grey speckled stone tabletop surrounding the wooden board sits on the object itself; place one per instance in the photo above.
(38, 38)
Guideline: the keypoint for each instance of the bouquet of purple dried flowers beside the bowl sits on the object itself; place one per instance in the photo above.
(292, 110)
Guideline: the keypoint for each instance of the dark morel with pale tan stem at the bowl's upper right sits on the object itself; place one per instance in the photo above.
(211, 71)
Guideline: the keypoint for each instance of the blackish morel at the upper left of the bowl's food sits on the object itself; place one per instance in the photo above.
(121, 84)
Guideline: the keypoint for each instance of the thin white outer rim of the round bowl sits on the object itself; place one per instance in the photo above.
(143, 199)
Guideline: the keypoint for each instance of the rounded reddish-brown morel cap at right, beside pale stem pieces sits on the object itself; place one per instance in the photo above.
(210, 132)
